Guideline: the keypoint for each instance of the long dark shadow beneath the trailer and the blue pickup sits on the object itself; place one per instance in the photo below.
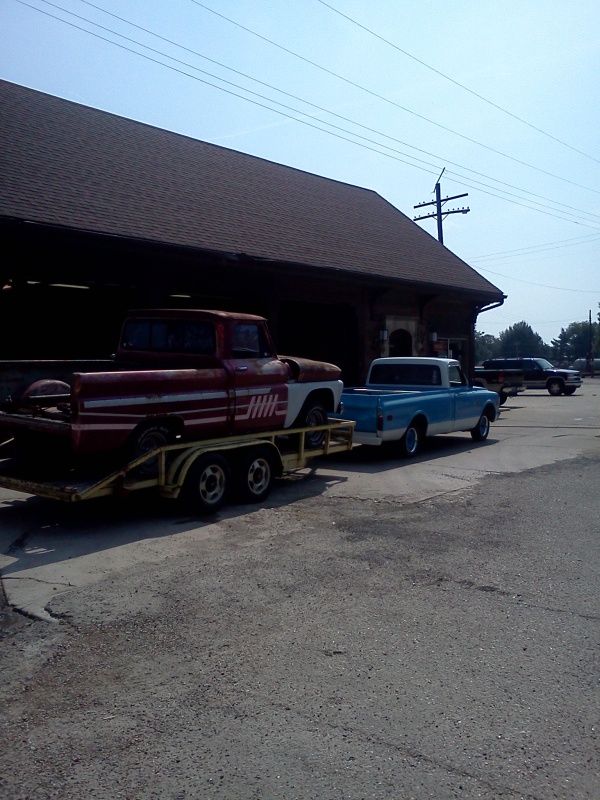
(37, 531)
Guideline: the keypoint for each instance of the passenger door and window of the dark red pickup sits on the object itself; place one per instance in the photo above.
(259, 379)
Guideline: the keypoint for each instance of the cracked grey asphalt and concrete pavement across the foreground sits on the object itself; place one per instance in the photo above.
(377, 629)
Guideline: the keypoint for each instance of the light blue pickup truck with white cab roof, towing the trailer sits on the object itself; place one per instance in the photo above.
(407, 399)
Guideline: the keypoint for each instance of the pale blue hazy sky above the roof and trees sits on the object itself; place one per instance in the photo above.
(503, 97)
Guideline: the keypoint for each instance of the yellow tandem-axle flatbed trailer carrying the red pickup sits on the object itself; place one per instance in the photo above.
(204, 473)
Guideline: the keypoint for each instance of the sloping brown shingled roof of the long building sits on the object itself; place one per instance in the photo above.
(70, 165)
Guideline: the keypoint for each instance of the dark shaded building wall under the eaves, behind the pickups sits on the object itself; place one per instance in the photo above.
(342, 318)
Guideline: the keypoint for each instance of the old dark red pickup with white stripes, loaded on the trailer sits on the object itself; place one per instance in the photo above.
(177, 374)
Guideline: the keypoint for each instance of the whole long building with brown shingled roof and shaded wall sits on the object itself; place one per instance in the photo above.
(99, 214)
